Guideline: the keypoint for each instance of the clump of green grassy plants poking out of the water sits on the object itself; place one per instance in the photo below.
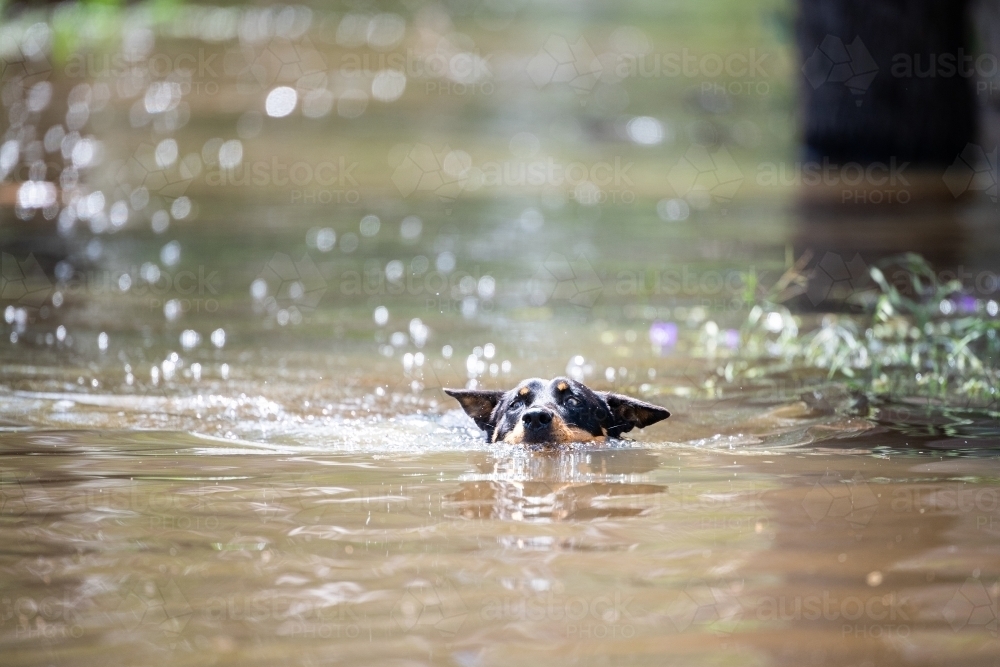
(916, 336)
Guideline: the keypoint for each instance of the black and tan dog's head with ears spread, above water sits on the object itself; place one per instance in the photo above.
(555, 411)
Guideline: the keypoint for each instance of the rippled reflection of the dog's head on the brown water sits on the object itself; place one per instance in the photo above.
(553, 485)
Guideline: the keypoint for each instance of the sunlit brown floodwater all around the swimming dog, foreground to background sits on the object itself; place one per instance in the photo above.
(235, 296)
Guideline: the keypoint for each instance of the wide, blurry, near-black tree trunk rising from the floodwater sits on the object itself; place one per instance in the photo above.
(886, 79)
